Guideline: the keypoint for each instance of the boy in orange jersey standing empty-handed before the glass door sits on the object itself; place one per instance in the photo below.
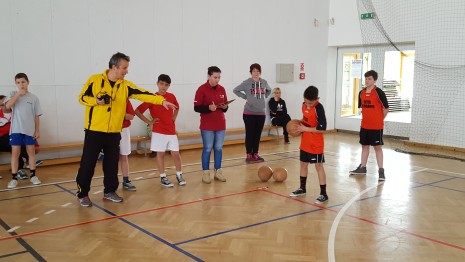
(373, 102)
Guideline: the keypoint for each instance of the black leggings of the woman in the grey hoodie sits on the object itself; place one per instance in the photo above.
(253, 132)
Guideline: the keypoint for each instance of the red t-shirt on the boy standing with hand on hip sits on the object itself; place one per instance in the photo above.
(165, 124)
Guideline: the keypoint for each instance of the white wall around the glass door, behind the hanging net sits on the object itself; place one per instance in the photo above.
(436, 28)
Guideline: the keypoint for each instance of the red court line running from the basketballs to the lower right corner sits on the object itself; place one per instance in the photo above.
(371, 222)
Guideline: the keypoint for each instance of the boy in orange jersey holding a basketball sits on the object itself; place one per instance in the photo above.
(312, 143)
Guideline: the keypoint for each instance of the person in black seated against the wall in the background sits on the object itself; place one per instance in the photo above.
(278, 112)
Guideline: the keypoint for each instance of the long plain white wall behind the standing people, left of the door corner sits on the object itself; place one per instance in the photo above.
(60, 43)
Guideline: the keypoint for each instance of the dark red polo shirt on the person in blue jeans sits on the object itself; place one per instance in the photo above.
(206, 95)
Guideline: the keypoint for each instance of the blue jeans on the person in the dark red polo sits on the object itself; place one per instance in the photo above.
(212, 140)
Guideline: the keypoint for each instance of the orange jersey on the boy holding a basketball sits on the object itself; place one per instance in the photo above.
(314, 116)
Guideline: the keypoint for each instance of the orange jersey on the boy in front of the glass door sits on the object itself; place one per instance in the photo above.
(372, 105)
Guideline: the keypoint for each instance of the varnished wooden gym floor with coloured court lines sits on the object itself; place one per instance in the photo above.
(417, 214)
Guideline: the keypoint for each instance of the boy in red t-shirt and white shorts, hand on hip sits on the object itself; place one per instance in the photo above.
(164, 130)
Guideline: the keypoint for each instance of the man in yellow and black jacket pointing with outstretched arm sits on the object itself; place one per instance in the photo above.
(105, 97)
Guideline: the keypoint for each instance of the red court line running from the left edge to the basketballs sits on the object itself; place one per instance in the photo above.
(125, 215)
